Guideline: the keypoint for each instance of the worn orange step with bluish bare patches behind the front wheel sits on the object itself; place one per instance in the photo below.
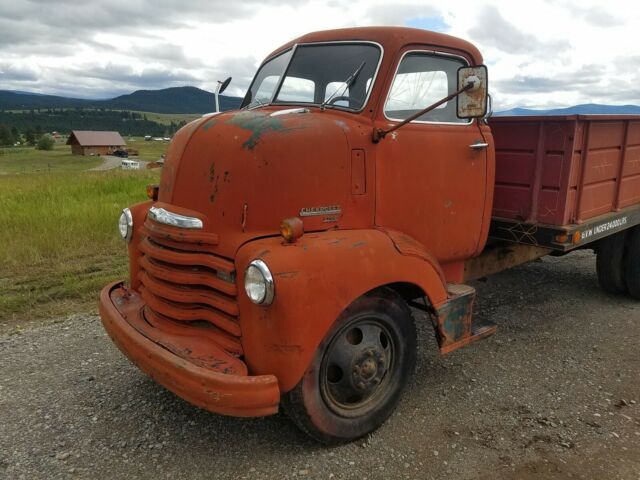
(454, 324)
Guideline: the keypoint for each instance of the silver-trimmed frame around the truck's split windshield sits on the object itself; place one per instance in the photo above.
(293, 49)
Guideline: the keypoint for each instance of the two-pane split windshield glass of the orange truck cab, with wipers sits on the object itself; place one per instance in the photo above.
(337, 75)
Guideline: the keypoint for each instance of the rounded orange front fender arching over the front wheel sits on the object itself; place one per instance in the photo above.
(316, 278)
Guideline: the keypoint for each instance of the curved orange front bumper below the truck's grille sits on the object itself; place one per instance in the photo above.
(204, 386)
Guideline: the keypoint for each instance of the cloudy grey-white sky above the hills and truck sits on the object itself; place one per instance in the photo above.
(540, 53)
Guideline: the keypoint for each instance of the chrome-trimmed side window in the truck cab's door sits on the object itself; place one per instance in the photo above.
(421, 80)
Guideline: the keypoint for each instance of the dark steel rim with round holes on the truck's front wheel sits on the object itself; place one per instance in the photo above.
(357, 367)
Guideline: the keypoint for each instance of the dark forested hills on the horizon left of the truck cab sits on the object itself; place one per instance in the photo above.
(167, 100)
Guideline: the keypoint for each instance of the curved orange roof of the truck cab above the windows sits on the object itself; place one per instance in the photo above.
(391, 38)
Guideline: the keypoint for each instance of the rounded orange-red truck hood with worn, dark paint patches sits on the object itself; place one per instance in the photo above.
(243, 172)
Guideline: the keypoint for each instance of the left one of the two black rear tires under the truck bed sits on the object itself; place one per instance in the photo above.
(610, 263)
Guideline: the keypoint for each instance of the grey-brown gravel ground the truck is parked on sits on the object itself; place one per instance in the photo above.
(554, 394)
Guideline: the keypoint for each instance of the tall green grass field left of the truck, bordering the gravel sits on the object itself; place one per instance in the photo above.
(59, 239)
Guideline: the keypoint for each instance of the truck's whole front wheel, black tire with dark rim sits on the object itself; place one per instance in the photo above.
(359, 371)
